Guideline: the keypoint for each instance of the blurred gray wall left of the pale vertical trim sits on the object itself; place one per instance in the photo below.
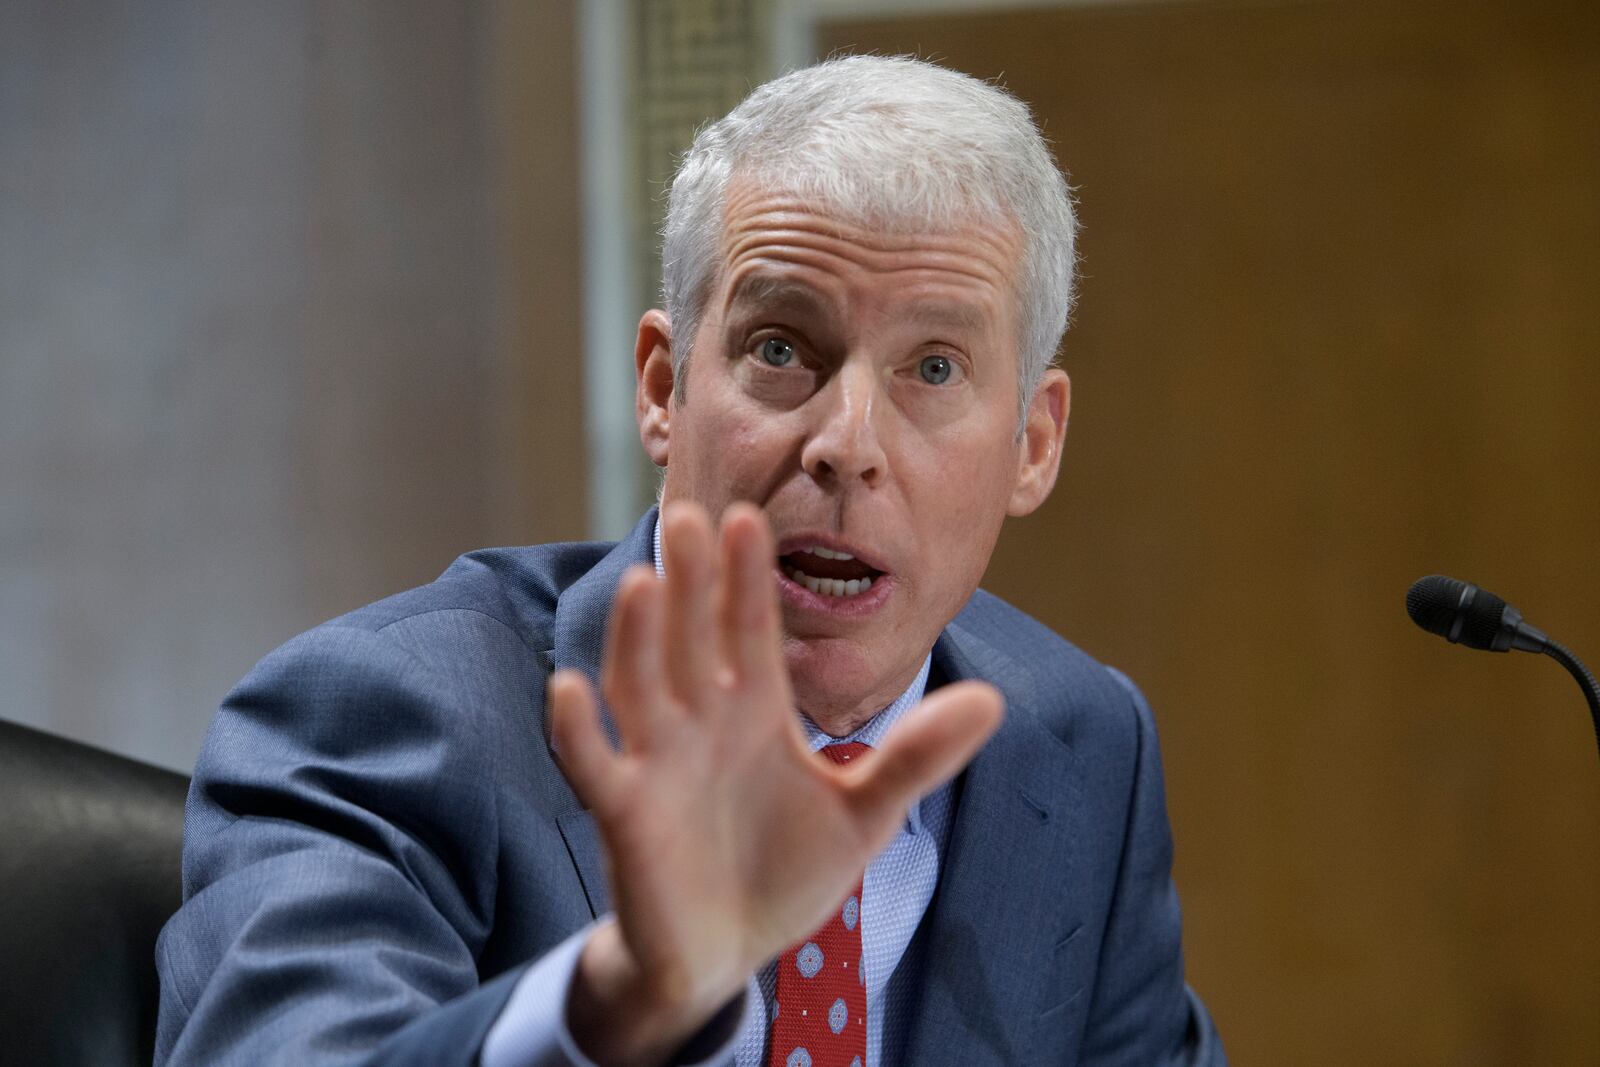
(289, 319)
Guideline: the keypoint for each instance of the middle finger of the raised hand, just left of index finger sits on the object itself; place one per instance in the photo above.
(689, 546)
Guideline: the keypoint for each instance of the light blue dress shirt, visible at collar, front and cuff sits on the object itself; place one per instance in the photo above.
(897, 889)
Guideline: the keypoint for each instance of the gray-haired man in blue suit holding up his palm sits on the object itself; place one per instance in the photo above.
(402, 852)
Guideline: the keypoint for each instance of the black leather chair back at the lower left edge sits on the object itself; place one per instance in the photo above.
(90, 850)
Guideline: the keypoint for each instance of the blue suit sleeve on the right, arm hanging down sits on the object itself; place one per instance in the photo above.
(1142, 1012)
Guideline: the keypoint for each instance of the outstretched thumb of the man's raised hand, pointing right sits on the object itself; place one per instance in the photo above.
(924, 751)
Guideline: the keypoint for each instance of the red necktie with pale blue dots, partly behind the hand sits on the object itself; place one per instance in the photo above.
(820, 1018)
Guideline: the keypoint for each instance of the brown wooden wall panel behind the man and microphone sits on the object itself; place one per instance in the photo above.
(1337, 332)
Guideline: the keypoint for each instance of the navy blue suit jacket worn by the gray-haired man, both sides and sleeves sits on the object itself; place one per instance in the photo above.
(378, 842)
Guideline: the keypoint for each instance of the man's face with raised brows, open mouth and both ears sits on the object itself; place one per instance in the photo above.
(862, 390)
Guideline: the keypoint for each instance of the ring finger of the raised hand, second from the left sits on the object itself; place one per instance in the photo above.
(633, 677)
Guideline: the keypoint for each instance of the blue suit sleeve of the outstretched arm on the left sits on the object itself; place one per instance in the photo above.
(340, 877)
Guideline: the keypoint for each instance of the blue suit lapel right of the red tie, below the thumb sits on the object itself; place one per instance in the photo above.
(980, 969)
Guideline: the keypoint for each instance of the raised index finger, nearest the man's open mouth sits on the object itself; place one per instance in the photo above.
(750, 621)
